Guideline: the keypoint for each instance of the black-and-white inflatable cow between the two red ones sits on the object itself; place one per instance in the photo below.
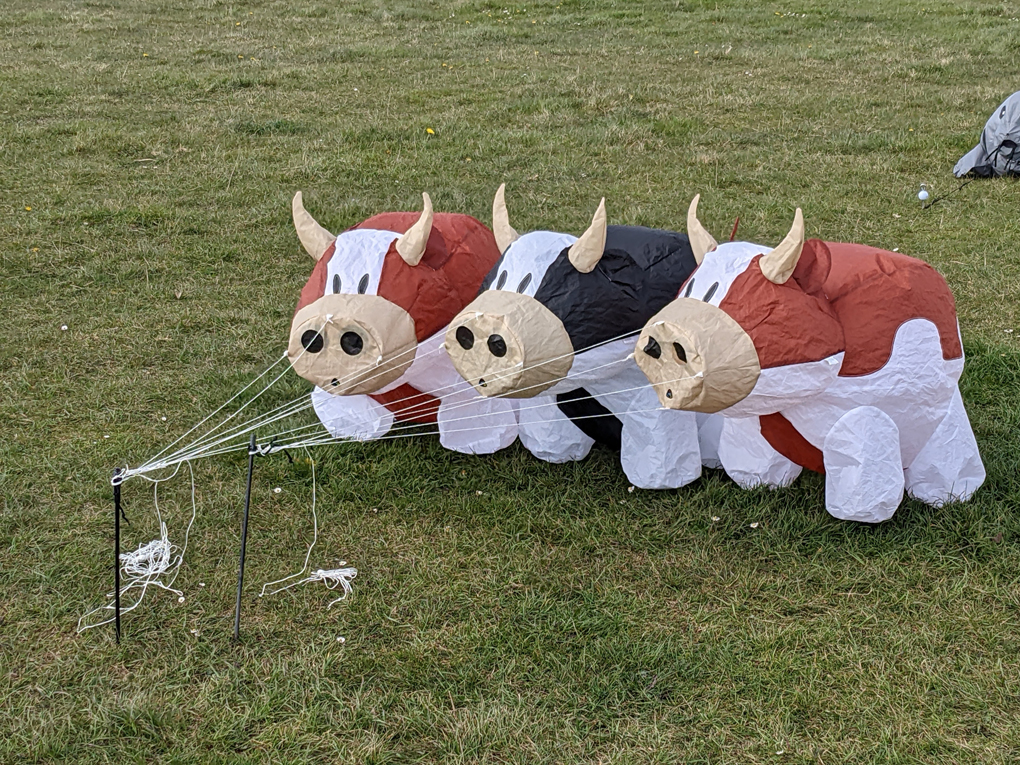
(557, 317)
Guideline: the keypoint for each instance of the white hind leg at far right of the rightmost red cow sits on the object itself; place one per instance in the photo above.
(949, 467)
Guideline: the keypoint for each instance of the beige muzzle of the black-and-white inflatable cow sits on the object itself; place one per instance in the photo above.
(506, 344)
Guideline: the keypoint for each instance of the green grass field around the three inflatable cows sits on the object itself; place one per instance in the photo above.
(148, 154)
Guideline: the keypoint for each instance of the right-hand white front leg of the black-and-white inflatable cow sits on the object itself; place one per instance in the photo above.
(659, 449)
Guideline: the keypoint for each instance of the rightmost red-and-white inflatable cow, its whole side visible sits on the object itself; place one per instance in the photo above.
(841, 359)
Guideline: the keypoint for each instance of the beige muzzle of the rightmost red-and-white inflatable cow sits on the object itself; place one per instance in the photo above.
(697, 358)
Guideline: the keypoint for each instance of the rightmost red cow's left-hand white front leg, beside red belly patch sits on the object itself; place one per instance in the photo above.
(749, 460)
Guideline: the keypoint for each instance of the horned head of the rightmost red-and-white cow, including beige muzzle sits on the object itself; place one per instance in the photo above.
(744, 311)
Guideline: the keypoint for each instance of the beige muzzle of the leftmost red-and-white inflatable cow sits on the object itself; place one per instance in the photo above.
(352, 344)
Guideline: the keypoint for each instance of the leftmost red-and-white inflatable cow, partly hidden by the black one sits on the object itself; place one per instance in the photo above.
(369, 328)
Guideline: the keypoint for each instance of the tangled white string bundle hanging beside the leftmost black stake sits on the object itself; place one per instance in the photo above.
(146, 567)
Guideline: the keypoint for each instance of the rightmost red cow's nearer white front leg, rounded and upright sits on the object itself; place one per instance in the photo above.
(864, 479)
